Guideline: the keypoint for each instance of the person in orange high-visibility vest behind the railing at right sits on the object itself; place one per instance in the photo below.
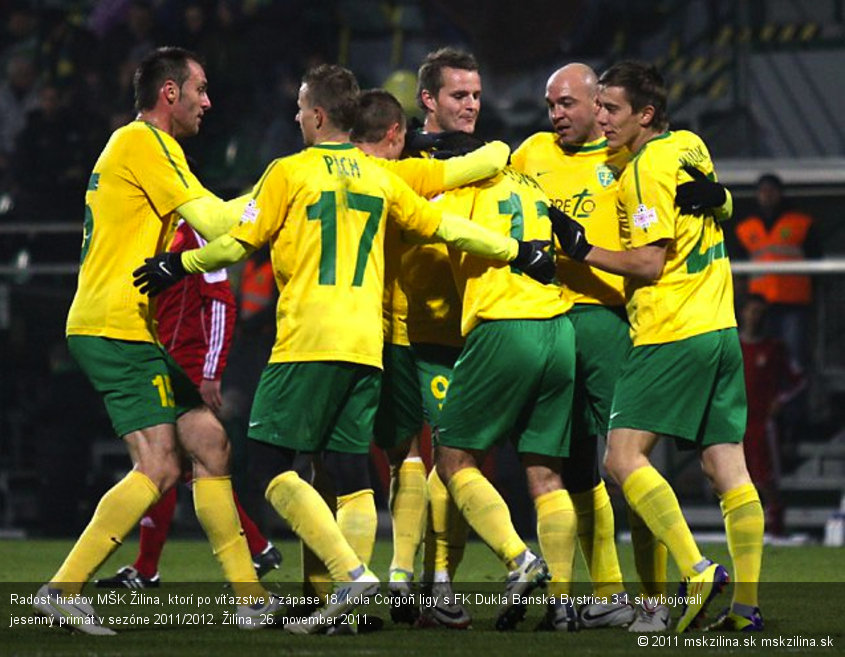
(779, 233)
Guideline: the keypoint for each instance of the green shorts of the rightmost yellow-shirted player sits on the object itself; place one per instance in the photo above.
(692, 389)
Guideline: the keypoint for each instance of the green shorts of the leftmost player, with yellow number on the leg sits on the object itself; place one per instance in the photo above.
(141, 384)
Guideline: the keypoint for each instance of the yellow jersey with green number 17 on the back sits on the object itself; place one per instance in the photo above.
(324, 211)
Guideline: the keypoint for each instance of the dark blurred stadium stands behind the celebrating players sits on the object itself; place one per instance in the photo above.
(759, 80)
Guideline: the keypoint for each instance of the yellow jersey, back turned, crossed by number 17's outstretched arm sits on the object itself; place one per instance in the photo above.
(511, 204)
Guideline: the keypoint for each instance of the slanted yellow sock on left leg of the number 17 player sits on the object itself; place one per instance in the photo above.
(312, 520)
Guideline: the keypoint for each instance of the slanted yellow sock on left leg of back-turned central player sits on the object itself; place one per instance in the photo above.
(487, 513)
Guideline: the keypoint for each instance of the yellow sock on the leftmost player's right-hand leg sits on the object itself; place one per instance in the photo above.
(216, 511)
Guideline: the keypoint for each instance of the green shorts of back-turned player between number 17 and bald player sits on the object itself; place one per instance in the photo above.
(515, 380)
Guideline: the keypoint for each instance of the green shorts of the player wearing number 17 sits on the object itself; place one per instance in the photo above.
(316, 406)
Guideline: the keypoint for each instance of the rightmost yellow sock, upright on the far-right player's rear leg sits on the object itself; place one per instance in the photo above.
(744, 522)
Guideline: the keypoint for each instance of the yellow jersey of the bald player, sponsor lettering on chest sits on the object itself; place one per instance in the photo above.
(581, 181)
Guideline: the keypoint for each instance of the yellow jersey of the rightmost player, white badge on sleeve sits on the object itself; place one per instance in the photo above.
(694, 293)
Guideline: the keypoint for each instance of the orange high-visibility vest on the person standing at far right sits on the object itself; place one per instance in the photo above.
(784, 242)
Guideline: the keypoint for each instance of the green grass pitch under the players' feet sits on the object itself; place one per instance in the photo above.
(802, 597)
